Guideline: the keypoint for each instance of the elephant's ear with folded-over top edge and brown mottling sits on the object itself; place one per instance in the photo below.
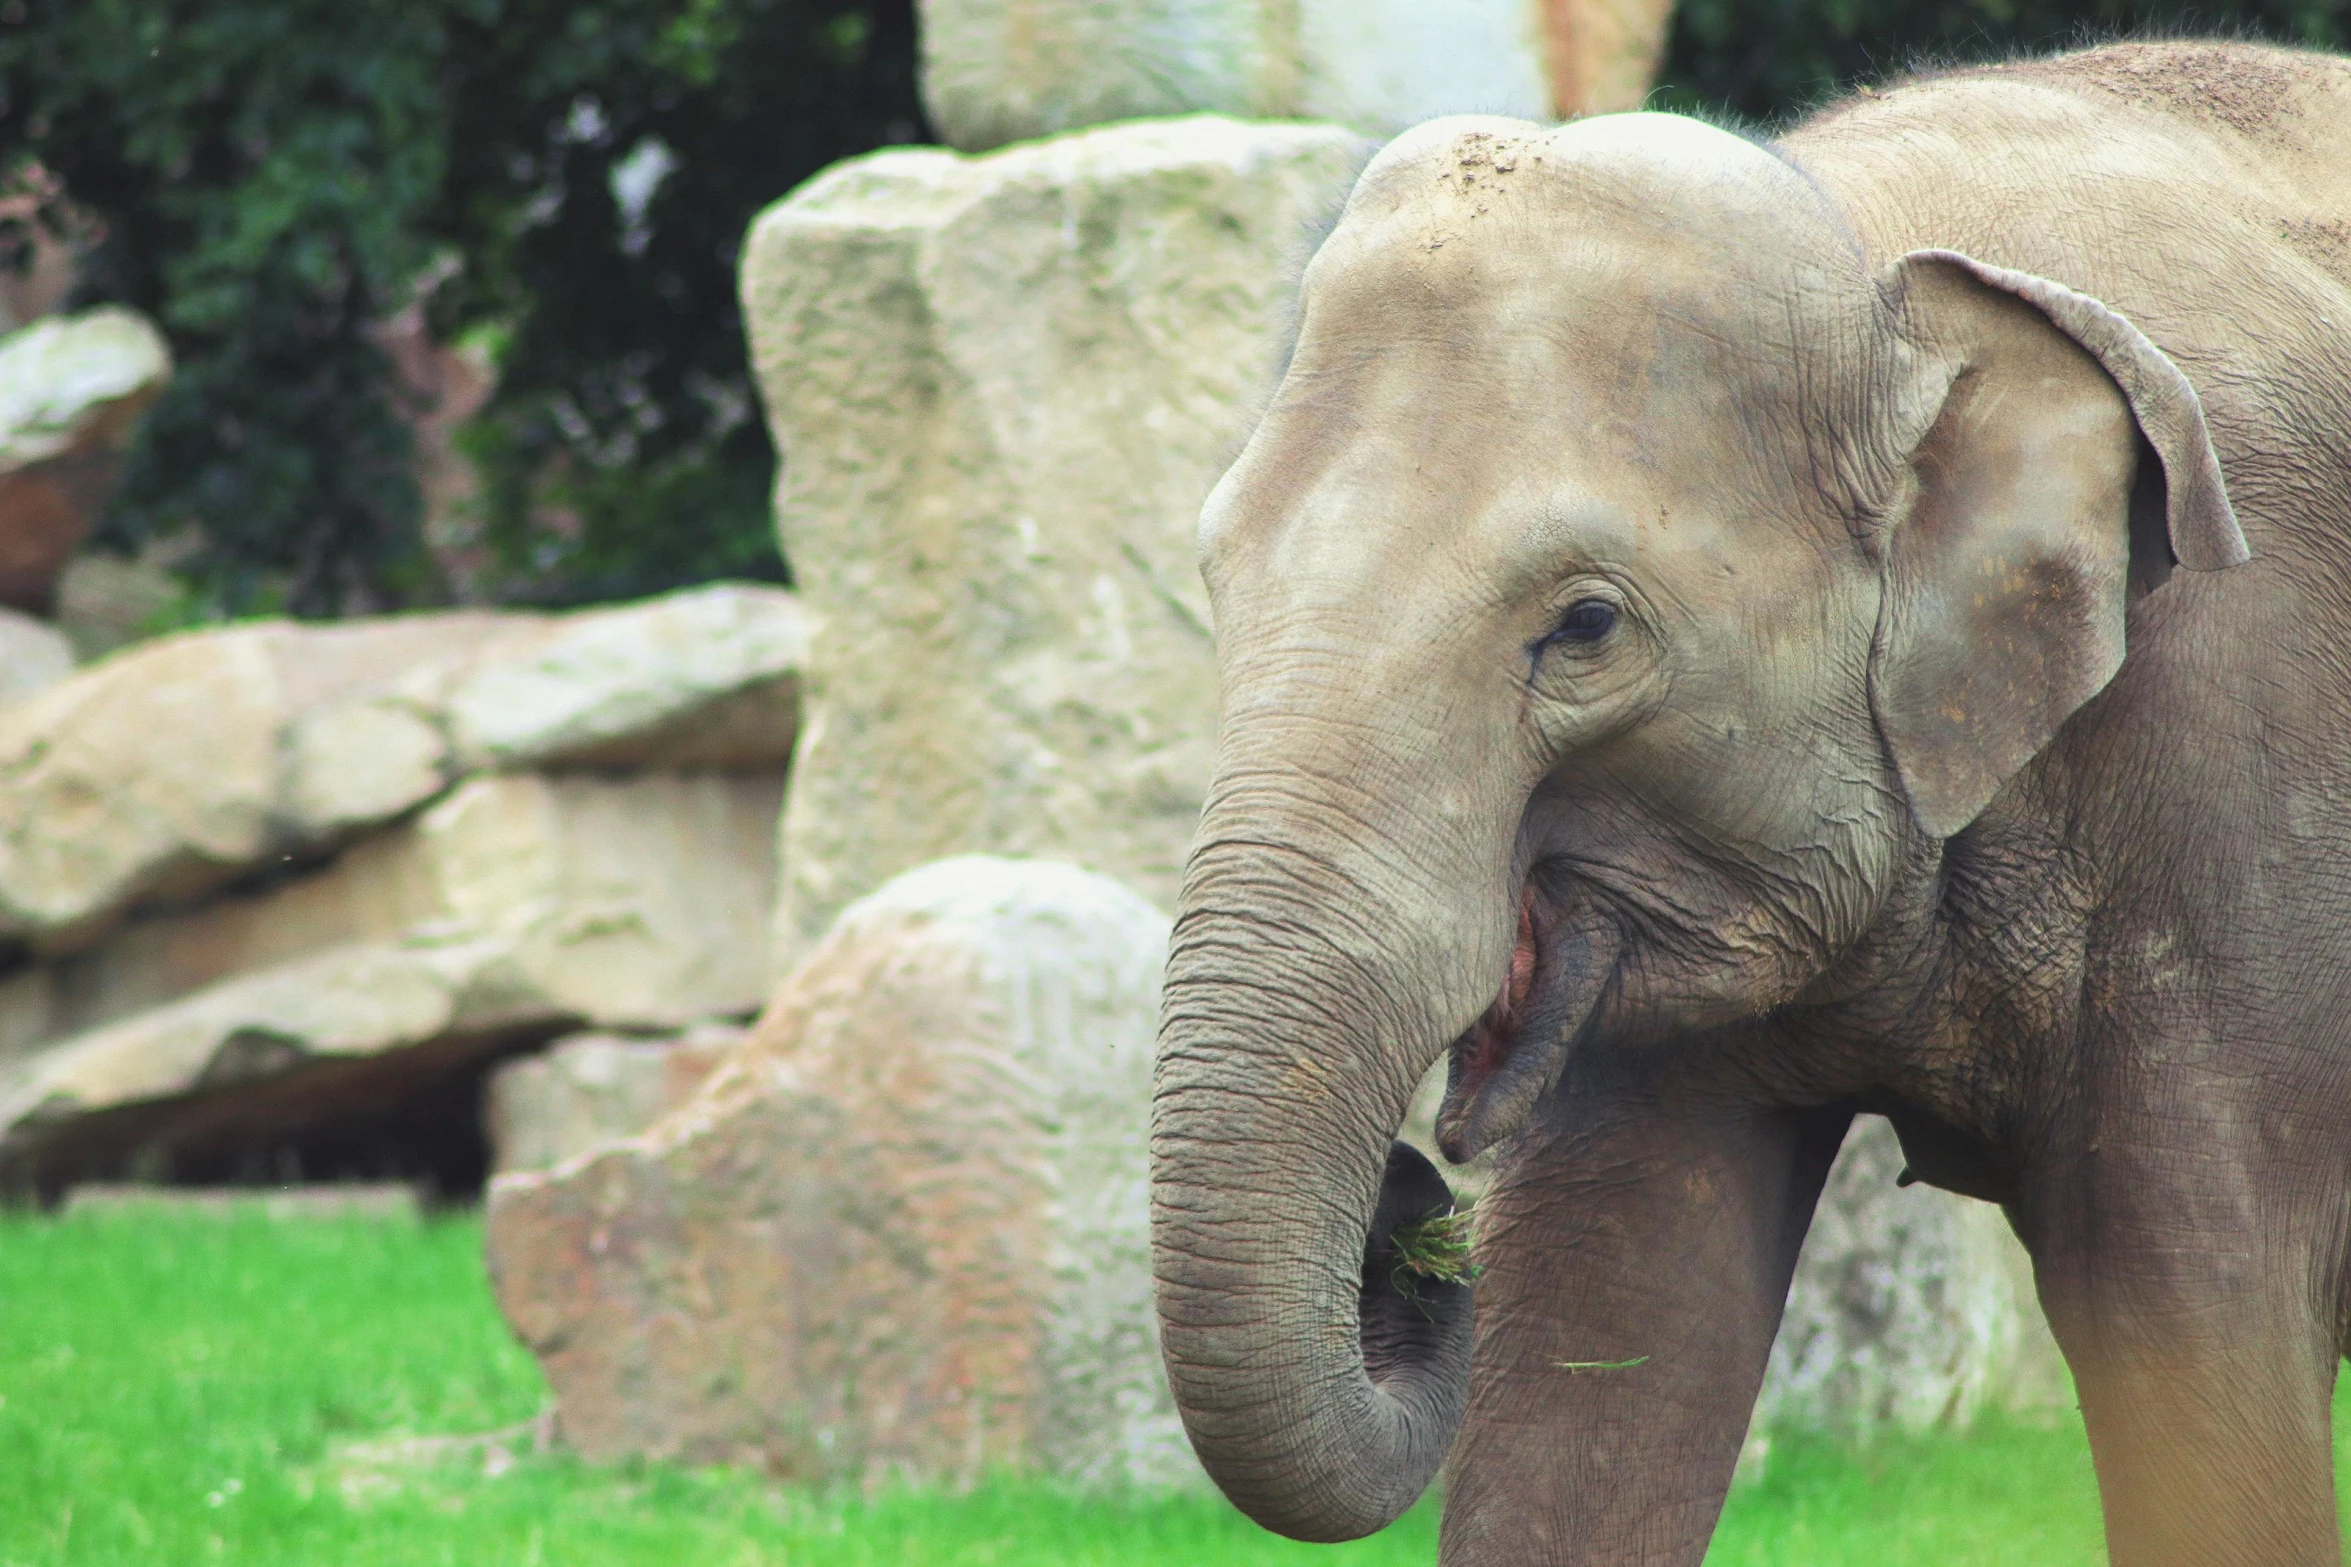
(2011, 570)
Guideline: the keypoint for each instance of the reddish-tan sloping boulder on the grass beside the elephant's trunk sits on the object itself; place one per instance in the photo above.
(904, 1230)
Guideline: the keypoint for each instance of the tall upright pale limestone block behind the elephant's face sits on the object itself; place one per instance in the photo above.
(1003, 389)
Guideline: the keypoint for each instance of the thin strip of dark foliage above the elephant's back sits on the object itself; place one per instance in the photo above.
(1769, 60)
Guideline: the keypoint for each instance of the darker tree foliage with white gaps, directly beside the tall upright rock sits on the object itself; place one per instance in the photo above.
(603, 168)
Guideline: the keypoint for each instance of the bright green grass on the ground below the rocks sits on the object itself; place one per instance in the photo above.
(180, 1392)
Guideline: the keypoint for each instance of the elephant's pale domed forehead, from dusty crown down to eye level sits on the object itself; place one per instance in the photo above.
(1496, 391)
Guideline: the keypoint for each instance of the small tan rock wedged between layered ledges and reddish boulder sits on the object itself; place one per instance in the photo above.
(589, 1091)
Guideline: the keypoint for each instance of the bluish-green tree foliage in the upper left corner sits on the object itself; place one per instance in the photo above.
(257, 173)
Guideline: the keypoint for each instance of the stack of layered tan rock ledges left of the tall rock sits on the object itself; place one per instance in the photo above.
(281, 875)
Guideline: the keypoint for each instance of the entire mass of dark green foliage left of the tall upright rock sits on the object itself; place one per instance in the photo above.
(274, 180)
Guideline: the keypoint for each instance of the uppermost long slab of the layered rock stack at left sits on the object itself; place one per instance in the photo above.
(185, 762)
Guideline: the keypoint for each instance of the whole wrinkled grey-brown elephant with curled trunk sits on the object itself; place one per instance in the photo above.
(1948, 758)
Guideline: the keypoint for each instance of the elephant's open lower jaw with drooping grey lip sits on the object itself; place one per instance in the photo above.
(1515, 1051)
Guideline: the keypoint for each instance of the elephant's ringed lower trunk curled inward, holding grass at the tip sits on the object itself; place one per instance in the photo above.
(1318, 1373)
